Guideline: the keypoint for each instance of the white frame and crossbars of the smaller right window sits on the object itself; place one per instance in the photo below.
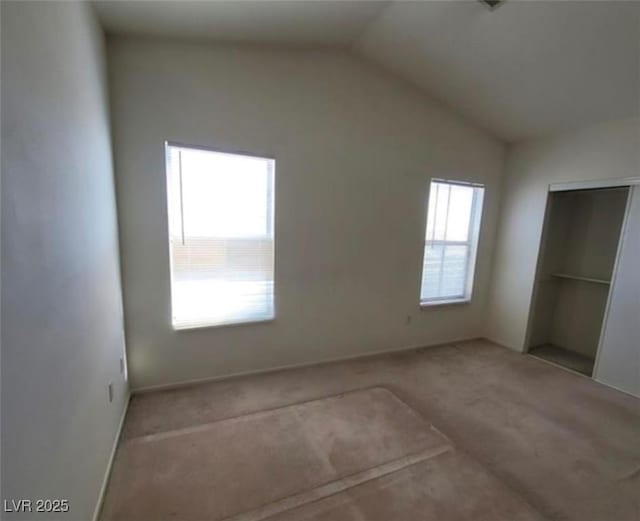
(473, 239)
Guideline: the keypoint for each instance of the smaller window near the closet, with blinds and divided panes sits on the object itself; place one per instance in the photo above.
(453, 223)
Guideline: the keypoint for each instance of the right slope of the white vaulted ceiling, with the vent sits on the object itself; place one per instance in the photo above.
(525, 69)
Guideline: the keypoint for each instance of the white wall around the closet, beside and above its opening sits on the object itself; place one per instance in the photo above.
(606, 151)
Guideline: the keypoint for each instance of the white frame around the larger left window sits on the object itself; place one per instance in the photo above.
(271, 205)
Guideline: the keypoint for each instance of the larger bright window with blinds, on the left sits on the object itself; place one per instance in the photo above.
(221, 237)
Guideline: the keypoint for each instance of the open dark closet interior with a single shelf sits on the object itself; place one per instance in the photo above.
(577, 258)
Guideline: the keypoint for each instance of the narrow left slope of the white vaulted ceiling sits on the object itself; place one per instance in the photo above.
(291, 22)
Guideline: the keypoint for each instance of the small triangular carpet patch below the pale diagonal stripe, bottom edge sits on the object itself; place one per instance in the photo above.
(448, 487)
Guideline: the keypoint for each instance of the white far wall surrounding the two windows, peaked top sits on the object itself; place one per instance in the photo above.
(355, 150)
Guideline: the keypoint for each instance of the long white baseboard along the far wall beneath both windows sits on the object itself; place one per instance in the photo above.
(210, 379)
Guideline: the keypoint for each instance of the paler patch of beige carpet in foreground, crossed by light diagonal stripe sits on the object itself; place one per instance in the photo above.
(362, 455)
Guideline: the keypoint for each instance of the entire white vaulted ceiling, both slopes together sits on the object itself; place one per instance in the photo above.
(525, 69)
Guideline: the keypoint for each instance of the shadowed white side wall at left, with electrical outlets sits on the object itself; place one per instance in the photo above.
(62, 334)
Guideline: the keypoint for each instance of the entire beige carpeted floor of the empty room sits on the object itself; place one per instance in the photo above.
(460, 432)
